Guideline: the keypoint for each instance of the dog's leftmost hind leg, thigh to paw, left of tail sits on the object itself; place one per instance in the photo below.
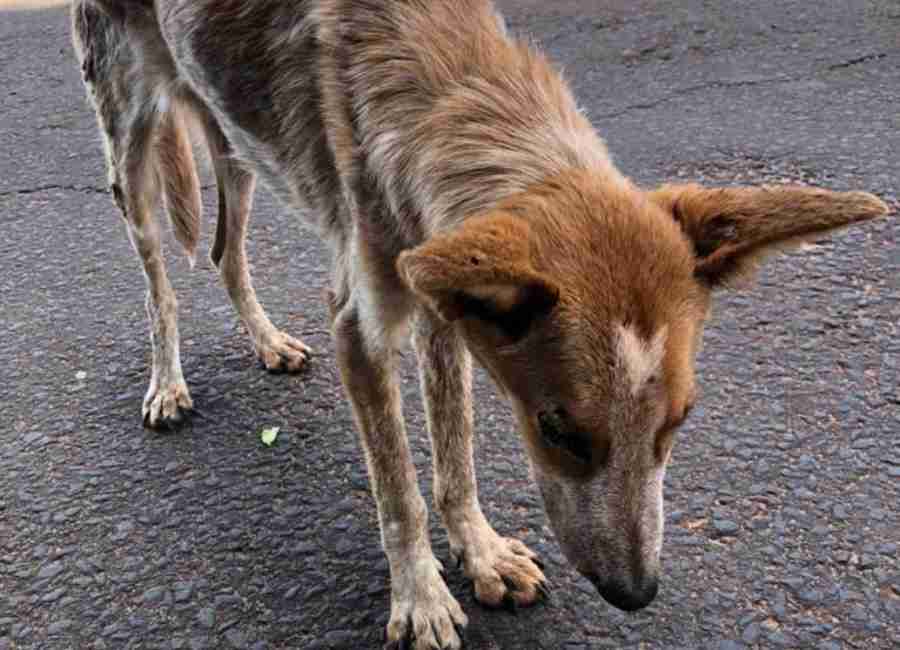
(136, 118)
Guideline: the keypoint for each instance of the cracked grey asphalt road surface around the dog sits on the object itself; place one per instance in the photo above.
(782, 498)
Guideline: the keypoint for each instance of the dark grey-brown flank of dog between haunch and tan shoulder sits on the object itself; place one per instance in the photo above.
(254, 64)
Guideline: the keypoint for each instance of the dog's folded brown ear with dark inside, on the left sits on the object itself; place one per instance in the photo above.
(481, 269)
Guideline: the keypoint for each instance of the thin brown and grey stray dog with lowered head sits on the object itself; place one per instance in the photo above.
(463, 193)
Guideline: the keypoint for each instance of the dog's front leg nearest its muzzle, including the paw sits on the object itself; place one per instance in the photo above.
(504, 570)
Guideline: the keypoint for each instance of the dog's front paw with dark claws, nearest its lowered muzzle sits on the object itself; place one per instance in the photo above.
(505, 572)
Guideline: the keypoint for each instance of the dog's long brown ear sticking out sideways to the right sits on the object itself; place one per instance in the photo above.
(733, 228)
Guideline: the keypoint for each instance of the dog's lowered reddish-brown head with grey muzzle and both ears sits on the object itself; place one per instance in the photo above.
(586, 303)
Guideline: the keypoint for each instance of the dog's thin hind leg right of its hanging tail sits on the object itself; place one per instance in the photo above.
(276, 350)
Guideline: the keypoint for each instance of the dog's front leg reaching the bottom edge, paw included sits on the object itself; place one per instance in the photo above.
(422, 608)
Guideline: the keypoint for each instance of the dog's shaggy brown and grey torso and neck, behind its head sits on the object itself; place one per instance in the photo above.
(321, 96)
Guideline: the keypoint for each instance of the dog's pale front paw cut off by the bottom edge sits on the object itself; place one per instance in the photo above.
(424, 614)
